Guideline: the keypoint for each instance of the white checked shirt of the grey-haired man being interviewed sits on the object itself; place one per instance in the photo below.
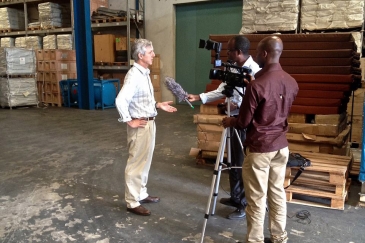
(136, 98)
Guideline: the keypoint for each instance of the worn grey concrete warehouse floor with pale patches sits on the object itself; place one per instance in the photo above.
(62, 180)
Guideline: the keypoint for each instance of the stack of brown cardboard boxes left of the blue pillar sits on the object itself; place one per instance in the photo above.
(52, 67)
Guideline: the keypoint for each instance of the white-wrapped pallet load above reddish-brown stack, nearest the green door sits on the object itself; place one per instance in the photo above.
(269, 15)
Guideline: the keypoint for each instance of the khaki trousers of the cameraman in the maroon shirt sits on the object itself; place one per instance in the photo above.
(263, 178)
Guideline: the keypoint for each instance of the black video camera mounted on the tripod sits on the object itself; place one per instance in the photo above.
(233, 75)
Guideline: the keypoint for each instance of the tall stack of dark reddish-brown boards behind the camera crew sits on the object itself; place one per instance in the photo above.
(326, 67)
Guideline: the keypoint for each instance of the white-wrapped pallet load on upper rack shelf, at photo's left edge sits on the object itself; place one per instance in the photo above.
(11, 18)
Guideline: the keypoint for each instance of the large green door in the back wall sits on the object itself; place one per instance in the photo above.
(197, 21)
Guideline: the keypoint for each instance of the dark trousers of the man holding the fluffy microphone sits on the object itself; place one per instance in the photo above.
(235, 175)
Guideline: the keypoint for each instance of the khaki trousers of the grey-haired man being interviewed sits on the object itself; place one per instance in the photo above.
(141, 143)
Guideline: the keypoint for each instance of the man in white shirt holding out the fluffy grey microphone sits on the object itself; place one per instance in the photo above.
(238, 54)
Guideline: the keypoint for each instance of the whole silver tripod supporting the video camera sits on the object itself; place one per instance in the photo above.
(225, 139)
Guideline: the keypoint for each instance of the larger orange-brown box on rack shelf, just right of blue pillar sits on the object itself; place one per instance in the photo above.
(104, 48)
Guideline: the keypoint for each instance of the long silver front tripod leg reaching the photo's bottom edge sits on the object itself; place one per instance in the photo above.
(214, 184)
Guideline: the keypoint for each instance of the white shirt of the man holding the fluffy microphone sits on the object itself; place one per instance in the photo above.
(236, 98)
